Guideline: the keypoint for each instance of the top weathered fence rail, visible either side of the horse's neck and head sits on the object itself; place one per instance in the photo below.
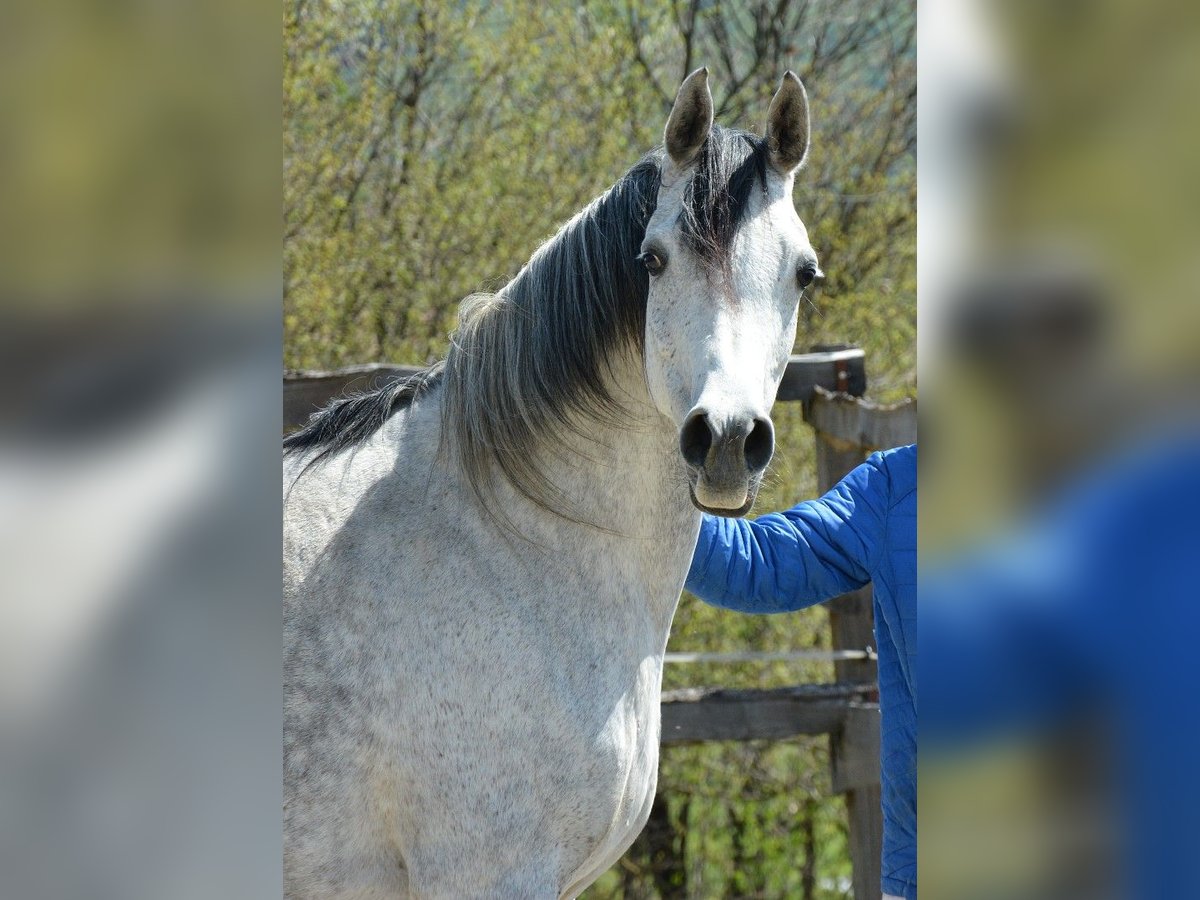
(305, 393)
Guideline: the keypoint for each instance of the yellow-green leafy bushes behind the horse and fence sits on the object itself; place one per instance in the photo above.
(430, 147)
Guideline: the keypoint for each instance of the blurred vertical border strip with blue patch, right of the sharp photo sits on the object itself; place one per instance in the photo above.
(1059, 513)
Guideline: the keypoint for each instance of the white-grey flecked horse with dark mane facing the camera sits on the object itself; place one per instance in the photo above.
(482, 565)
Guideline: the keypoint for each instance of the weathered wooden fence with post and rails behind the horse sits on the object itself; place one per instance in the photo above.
(831, 383)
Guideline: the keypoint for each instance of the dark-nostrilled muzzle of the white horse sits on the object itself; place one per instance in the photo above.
(727, 458)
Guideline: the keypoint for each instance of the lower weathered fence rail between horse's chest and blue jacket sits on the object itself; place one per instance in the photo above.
(716, 715)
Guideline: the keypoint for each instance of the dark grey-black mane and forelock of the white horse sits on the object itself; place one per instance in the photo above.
(530, 359)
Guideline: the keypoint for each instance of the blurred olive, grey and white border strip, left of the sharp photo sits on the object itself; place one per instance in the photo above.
(140, 359)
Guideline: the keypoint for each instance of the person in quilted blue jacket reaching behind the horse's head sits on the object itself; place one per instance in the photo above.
(862, 531)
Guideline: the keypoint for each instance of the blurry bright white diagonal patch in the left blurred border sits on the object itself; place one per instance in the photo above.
(79, 524)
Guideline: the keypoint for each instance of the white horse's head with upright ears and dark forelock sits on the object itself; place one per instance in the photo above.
(728, 259)
